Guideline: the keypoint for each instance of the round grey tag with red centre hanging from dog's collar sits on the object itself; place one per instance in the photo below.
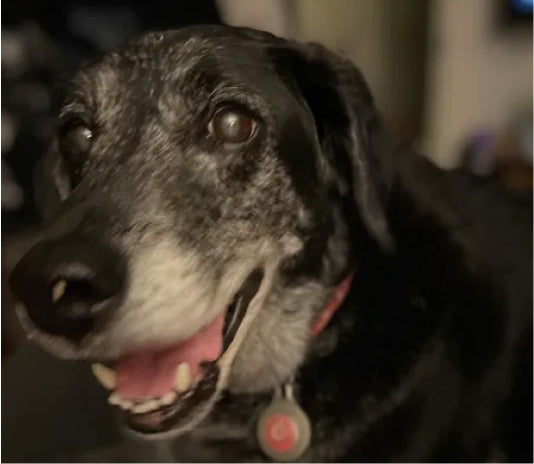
(283, 430)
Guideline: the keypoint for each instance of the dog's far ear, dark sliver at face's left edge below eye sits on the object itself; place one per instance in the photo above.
(51, 185)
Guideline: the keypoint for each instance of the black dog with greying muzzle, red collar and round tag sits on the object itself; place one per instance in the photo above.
(231, 229)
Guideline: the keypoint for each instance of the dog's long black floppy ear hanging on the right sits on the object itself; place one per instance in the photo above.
(349, 127)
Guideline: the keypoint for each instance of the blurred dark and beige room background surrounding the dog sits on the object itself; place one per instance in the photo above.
(453, 78)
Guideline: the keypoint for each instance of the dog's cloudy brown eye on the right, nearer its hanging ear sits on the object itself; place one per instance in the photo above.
(230, 125)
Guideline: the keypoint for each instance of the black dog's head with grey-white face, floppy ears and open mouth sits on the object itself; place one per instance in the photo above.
(199, 197)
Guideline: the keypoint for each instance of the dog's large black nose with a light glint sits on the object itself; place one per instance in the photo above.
(68, 286)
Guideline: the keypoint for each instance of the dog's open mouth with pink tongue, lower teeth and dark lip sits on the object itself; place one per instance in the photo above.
(173, 388)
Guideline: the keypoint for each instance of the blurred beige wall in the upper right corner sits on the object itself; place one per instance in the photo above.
(479, 74)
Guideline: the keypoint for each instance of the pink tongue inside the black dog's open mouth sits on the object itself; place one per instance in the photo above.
(150, 373)
